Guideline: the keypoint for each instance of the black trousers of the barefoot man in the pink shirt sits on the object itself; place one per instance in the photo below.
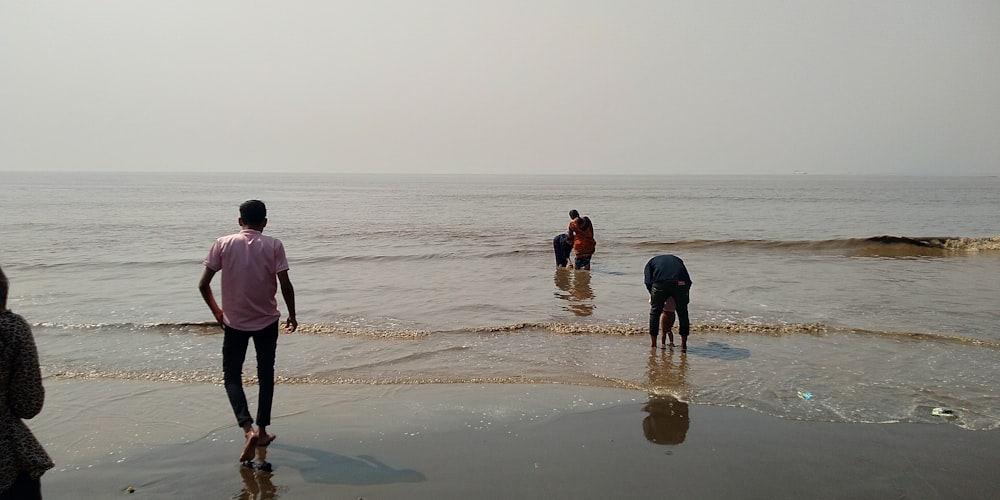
(234, 352)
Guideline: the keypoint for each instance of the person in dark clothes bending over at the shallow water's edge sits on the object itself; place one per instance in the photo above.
(667, 277)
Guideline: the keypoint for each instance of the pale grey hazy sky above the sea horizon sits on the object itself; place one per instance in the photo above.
(504, 86)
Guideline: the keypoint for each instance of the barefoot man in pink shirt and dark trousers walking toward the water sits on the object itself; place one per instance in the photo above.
(249, 262)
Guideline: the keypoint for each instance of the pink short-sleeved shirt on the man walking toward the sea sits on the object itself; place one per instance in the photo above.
(249, 262)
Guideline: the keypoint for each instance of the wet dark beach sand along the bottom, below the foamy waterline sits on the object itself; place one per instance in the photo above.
(131, 439)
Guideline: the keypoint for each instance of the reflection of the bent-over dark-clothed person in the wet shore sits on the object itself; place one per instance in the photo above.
(668, 419)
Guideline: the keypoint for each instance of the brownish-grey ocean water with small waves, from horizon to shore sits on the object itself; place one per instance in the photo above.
(848, 299)
